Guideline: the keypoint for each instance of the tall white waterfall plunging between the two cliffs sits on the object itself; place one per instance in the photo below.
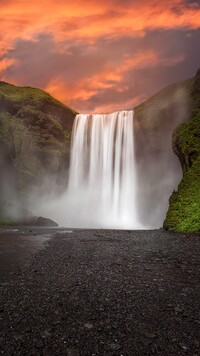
(102, 176)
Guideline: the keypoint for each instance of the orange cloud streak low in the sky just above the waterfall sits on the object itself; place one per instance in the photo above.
(110, 77)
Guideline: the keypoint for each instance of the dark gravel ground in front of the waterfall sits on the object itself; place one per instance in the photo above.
(105, 292)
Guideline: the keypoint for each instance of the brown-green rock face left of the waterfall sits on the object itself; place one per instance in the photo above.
(35, 132)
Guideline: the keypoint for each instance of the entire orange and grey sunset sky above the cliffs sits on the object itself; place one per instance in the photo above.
(99, 55)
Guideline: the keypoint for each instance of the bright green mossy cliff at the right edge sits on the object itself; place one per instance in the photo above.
(184, 205)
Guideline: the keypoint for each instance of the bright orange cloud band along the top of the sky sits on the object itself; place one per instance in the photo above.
(88, 20)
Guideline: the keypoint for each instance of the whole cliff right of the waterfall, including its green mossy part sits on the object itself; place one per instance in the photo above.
(158, 168)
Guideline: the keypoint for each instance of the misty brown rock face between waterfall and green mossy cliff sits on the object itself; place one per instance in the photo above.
(158, 168)
